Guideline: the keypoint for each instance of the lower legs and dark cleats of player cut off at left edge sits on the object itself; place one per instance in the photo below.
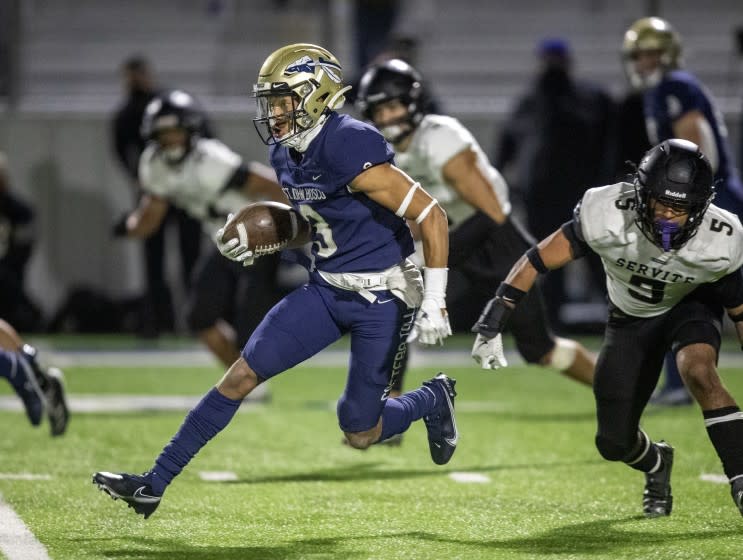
(39, 389)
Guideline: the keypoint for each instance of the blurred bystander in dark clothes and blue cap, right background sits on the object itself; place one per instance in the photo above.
(559, 140)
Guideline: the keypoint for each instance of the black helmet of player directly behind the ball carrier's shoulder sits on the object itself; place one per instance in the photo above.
(393, 79)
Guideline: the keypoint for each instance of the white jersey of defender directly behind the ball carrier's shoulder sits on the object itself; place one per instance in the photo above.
(434, 142)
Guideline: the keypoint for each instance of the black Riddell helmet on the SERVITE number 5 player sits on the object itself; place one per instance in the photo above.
(676, 174)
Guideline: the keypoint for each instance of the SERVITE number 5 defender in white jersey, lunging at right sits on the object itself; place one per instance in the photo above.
(672, 262)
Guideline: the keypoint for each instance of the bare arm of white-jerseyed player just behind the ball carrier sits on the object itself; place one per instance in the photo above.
(463, 174)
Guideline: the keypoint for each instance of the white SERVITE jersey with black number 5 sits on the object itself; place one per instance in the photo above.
(642, 279)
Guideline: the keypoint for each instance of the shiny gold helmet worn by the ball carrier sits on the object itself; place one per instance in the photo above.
(298, 85)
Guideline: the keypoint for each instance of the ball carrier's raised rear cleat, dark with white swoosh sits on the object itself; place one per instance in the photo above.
(440, 424)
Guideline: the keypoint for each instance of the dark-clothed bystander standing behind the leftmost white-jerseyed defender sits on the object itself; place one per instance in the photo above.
(157, 306)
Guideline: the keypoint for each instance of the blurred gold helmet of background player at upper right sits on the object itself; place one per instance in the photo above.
(650, 35)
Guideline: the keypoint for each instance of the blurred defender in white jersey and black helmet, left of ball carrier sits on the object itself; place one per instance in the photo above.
(207, 180)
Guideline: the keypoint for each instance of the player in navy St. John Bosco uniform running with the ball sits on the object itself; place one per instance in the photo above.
(338, 173)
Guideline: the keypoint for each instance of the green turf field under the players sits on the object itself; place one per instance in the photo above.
(526, 435)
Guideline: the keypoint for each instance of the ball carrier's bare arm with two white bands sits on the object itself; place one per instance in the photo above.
(390, 187)
